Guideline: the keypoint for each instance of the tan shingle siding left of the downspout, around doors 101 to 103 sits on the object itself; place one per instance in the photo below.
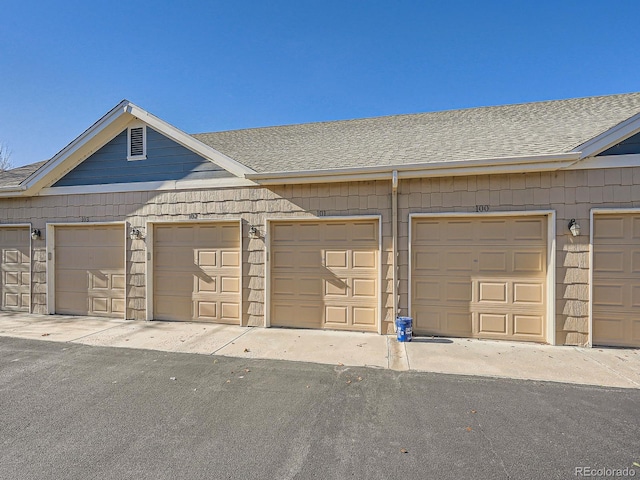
(252, 205)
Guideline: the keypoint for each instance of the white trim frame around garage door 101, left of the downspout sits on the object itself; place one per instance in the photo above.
(290, 218)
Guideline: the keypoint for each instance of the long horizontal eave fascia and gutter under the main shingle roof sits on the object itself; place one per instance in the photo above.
(433, 169)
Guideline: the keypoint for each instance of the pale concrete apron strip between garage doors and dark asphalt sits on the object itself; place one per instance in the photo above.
(609, 367)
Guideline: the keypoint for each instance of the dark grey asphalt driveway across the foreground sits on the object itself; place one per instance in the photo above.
(77, 411)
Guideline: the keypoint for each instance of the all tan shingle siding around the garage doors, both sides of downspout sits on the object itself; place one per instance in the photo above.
(571, 194)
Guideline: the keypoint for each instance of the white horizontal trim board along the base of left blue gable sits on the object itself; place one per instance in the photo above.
(150, 186)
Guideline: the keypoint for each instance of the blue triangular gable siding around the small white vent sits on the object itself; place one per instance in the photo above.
(166, 160)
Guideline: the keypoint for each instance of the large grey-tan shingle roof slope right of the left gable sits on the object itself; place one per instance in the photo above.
(539, 128)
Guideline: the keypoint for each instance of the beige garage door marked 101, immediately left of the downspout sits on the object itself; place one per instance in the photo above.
(325, 275)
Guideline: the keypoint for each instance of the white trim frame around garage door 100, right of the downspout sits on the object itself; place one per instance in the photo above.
(551, 255)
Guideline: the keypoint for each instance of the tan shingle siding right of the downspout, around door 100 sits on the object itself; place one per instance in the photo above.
(571, 194)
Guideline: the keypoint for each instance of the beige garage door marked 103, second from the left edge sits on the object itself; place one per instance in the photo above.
(89, 270)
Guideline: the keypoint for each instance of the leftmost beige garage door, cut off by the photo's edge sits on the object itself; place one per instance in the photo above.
(16, 268)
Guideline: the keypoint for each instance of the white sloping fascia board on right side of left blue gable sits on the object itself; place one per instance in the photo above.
(189, 142)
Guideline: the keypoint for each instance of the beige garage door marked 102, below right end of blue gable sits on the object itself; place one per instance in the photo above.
(196, 272)
